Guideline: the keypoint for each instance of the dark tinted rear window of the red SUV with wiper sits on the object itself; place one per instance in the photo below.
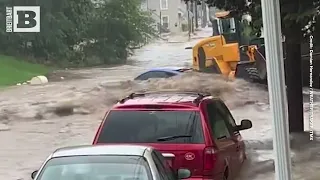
(149, 126)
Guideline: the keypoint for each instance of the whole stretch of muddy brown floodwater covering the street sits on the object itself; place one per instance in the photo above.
(35, 120)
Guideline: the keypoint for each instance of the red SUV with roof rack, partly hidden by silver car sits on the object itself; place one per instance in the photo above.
(192, 130)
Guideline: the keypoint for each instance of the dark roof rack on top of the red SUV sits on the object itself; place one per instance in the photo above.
(140, 94)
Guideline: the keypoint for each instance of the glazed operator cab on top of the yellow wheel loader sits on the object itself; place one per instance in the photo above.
(229, 27)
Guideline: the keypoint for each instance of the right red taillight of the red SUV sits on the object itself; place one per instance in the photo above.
(209, 159)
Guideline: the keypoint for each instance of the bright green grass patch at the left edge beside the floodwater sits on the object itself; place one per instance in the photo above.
(14, 70)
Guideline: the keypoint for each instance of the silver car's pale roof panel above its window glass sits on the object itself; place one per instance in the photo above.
(86, 150)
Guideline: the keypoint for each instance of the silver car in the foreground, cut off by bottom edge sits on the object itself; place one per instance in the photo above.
(107, 162)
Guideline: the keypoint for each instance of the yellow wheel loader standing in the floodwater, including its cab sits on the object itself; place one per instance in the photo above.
(226, 52)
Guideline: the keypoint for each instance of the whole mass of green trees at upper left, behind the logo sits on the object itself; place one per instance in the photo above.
(80, 32)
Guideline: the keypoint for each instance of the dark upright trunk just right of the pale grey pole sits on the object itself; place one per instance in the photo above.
(293, 66)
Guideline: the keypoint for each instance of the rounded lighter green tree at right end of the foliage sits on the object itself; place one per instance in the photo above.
(117, 29)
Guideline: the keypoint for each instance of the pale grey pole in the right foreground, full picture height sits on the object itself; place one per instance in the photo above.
(277, 89)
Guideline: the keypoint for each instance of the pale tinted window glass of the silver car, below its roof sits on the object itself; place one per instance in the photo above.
(96, 168)
